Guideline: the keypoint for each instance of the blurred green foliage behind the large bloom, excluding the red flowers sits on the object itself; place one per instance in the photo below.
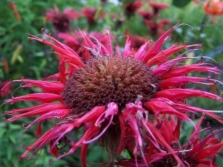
(20, 57)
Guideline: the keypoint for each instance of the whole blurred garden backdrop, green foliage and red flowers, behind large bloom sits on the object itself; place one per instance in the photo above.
(140, 20)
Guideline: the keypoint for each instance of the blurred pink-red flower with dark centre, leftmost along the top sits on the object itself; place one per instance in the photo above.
(61, 20)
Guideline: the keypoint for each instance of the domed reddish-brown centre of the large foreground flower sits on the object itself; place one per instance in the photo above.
(109, 79)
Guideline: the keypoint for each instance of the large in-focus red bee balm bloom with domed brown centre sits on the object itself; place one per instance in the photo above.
(112, 97)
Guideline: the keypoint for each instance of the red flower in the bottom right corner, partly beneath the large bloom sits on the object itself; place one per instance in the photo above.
(196, 152)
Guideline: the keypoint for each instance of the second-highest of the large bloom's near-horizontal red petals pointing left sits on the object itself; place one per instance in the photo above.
(40, 97)
